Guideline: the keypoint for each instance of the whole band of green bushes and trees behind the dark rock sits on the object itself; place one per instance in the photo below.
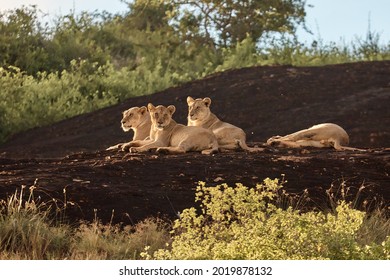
(87, 61)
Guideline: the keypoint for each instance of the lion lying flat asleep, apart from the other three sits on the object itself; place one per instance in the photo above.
(320, 136)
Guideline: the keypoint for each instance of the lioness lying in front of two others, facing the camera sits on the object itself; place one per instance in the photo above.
(170, 137)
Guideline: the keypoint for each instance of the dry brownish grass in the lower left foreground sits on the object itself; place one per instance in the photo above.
(29, 230)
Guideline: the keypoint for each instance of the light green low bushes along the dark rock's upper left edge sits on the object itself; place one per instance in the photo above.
(27, 102)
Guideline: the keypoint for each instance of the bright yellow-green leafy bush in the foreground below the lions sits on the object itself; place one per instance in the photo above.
(246, 223)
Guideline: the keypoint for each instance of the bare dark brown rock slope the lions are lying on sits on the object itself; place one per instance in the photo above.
(67, 161)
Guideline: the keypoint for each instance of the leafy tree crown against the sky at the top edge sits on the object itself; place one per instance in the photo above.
(230, 21)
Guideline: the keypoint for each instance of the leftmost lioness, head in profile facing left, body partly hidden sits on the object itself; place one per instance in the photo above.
(137, 119)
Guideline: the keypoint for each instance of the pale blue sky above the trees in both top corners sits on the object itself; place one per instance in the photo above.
(330, 20)
